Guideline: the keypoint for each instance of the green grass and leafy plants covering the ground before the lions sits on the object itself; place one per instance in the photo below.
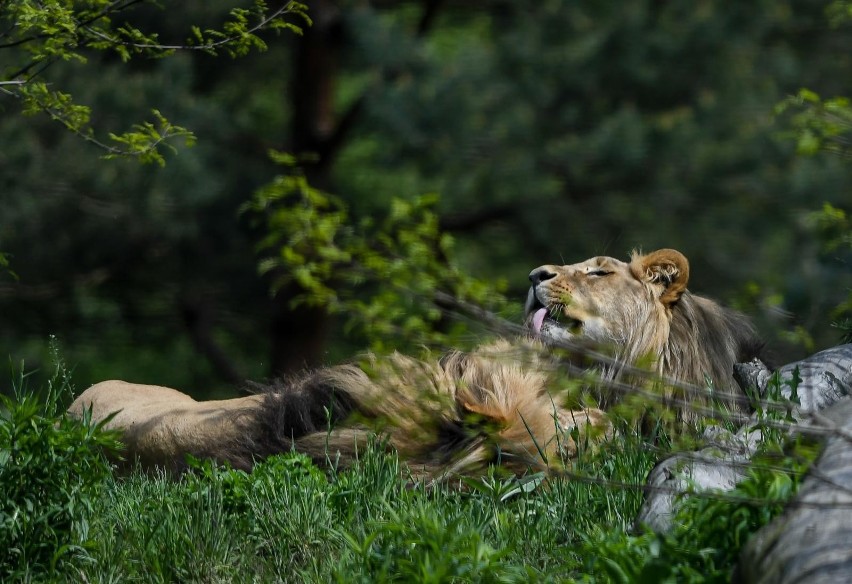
(67, 517)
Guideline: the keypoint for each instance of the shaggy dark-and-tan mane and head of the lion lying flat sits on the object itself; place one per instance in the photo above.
(458, 414)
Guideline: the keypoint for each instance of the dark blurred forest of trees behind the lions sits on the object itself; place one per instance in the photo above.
(552, 131)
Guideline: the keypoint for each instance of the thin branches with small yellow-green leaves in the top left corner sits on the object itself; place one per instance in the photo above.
(39, 34)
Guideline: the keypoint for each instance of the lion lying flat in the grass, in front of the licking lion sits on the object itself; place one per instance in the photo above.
(451, 416)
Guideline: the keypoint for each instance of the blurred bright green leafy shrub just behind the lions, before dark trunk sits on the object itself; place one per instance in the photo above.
(384, 274)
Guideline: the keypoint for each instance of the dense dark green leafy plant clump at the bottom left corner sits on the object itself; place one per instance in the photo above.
(52, 472)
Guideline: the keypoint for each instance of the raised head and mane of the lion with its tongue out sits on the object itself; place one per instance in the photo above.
(642, 309)
